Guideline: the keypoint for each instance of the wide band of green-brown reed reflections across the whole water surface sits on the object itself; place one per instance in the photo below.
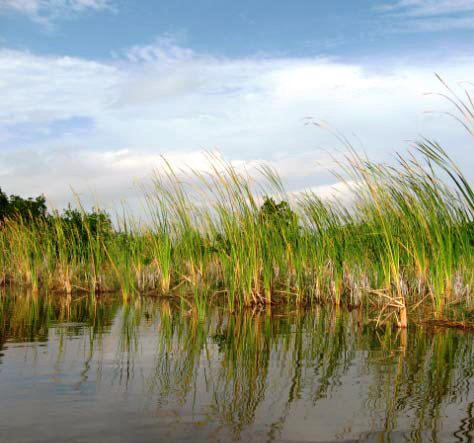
(228, 365)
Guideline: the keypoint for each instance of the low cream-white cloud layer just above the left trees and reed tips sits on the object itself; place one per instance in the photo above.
(111, 177)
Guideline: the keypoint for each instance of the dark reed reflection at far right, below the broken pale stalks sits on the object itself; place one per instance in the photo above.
(418, 374)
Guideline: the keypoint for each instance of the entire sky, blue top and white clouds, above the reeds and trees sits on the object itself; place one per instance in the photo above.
(95, 92)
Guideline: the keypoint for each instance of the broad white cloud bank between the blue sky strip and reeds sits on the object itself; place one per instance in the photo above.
(164, 99)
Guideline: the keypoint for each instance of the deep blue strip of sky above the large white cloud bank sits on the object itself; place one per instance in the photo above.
(347, 28)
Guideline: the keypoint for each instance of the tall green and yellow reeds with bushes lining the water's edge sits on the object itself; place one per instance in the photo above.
(402, 246)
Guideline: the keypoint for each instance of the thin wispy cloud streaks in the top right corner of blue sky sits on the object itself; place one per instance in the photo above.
(429, 15)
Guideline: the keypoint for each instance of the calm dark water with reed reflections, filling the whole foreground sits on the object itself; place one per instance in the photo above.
(85, 370)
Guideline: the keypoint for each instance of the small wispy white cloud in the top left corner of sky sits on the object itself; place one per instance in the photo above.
(47, 11)
